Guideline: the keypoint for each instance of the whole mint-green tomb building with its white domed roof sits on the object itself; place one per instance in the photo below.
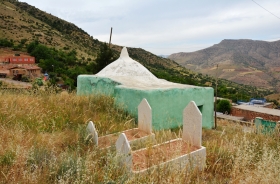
(129, 82)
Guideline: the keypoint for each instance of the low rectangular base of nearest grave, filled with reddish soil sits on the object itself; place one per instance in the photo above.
(175, 154)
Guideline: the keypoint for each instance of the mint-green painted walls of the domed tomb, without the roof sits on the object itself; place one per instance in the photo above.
(167, 104)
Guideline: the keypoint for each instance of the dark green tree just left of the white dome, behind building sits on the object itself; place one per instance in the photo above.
(104, 57)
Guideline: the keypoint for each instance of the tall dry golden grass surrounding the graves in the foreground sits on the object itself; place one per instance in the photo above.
(43, 141)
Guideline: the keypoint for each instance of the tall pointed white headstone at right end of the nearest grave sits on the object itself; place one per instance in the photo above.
(192, 124)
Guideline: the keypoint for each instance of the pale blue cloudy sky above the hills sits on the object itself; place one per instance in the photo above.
(165, 26)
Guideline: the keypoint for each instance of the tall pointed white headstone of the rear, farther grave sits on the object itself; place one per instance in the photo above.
(145, 116)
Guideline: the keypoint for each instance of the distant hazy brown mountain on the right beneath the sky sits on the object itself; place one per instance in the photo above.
(248, 62)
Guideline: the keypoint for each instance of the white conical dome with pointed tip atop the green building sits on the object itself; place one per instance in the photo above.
(125, 66)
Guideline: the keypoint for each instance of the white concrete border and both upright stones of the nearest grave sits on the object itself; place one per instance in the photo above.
(192, 128)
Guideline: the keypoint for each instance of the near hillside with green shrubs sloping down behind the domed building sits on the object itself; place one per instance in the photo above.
(65, 51)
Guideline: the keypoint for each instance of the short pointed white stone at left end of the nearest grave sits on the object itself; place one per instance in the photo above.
(123, 149)
